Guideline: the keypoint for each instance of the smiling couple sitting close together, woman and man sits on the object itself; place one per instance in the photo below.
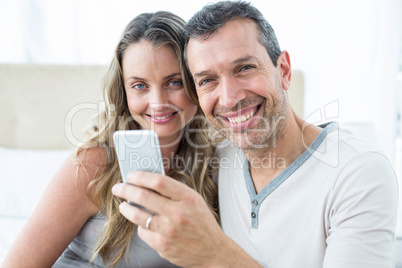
(304, 213)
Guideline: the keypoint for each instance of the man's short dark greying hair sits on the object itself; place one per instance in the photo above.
(211, 17)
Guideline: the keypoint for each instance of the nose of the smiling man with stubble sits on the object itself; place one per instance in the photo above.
(230, 92)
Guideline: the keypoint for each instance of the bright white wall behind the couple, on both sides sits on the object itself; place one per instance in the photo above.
(347, 49)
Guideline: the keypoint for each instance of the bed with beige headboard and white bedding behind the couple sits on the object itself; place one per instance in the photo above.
(44, 109)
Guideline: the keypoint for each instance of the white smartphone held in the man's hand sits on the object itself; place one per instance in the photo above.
(138, 150)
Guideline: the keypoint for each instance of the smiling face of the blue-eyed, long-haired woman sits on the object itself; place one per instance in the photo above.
(154, 88)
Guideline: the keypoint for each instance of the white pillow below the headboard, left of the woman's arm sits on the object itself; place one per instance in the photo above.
(24, 175)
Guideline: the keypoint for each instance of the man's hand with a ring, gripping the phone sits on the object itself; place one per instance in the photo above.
(183, 231)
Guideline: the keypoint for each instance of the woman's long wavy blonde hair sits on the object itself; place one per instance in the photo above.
(160, 28)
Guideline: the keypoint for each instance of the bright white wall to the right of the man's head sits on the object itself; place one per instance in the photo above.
(349, 53)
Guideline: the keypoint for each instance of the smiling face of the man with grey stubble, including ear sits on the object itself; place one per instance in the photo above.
(240, 90)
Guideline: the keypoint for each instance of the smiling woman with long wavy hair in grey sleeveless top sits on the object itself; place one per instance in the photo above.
(147, 87)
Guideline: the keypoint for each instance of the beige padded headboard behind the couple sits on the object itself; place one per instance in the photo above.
(47, 106)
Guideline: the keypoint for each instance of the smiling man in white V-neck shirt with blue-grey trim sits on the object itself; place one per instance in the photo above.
(291, 194)
